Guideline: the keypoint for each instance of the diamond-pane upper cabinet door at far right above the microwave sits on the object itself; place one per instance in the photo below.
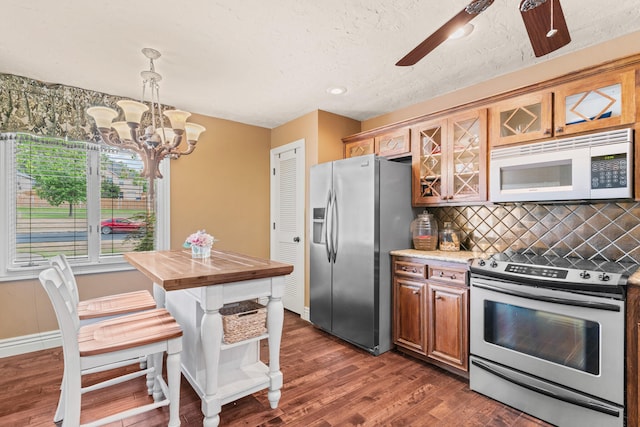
(595, 102)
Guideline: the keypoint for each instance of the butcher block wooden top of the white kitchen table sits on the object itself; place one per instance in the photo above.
(175, 269)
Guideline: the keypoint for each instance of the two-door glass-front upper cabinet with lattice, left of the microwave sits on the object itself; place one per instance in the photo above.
(450, 159)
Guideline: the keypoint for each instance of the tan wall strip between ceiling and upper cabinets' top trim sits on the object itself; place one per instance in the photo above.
(548, 68)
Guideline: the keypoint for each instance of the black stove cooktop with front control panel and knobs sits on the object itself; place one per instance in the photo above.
(567, 273)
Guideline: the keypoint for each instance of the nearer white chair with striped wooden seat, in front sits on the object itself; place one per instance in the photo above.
(93, 347)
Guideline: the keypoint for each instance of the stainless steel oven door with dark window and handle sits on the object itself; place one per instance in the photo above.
(573, 340)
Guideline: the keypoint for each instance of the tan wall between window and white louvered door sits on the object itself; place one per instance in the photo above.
(223, 187)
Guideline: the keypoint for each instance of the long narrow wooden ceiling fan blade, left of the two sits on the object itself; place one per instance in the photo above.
(441, 34)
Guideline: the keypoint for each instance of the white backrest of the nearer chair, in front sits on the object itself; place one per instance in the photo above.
(66, 309)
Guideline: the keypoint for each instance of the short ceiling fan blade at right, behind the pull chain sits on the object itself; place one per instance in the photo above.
(537, 21)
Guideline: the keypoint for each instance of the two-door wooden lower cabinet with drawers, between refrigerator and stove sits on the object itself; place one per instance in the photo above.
(431, 312)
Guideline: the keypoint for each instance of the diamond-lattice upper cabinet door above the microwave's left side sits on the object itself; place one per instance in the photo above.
(520, 119)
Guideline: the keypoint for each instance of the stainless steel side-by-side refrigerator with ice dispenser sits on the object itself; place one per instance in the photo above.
(360, 210)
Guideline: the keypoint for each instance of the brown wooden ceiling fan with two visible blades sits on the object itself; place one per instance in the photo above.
(543, 19)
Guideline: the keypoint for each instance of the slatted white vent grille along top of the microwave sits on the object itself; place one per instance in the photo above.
(583, 141)
